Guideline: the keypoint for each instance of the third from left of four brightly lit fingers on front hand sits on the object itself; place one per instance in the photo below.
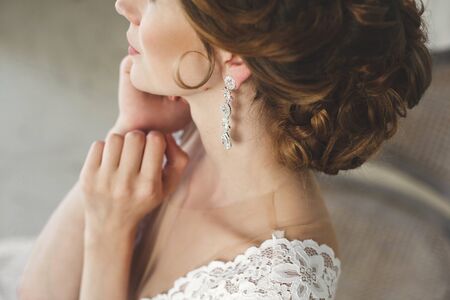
(133, 148)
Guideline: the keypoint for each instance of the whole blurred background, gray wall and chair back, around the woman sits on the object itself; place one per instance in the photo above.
(59, 63)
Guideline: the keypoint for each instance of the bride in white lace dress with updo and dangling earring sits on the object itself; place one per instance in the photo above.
(205, 186)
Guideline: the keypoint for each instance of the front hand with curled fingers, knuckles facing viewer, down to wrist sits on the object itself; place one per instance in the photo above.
(122, 180)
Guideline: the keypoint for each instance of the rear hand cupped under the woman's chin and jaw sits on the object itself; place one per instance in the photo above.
(144, 111)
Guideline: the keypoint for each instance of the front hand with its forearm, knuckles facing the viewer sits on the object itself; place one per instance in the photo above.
(121, 181)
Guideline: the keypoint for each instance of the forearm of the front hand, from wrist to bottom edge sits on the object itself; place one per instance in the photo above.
(107, 264)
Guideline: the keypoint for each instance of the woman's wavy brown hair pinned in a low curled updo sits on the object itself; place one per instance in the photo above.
(332, 76)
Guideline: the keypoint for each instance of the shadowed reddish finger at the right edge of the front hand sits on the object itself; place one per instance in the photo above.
(177, 161)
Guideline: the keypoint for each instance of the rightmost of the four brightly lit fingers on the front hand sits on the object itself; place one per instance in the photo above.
(152, 160)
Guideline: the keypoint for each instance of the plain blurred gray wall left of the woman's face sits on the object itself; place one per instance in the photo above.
(59, 62)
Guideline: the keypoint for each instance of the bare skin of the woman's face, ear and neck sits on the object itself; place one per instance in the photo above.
(249, 168)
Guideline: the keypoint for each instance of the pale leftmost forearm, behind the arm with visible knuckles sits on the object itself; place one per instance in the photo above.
(53, 269)
